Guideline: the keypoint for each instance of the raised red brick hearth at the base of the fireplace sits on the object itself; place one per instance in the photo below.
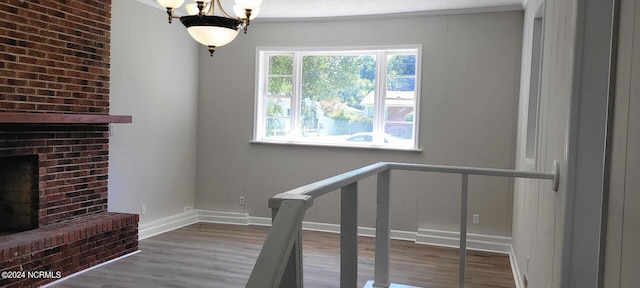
(67, 247)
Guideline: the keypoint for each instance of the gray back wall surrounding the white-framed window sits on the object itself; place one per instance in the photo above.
(469, 107)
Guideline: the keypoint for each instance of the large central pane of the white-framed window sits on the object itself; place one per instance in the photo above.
(334, 88)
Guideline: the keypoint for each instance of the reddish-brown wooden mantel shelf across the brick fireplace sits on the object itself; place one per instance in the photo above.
(59, 118)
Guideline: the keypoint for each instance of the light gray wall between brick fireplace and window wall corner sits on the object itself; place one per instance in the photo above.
(154, 78)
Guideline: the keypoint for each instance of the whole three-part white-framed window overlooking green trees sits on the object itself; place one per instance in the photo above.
(338, 97)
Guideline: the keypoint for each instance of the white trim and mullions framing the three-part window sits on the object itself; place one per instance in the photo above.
(380, 97)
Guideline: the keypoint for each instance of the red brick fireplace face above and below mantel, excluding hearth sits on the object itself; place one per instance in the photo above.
(54, 58)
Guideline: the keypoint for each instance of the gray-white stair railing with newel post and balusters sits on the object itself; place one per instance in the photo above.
(280, 261)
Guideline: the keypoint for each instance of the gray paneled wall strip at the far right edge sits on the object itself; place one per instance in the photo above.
(623, 235)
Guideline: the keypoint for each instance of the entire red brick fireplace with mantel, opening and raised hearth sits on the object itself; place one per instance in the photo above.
(54, 140)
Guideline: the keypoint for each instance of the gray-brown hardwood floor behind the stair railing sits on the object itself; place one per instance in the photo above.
(218, 255)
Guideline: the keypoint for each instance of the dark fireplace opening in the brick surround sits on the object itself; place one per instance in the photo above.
(19, 199)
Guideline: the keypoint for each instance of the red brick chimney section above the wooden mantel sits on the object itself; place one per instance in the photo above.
(54, 56)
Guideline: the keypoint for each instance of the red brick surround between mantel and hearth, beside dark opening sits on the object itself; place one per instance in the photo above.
(73, 166)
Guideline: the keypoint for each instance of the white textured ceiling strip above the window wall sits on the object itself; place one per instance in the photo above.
(284, 9)
